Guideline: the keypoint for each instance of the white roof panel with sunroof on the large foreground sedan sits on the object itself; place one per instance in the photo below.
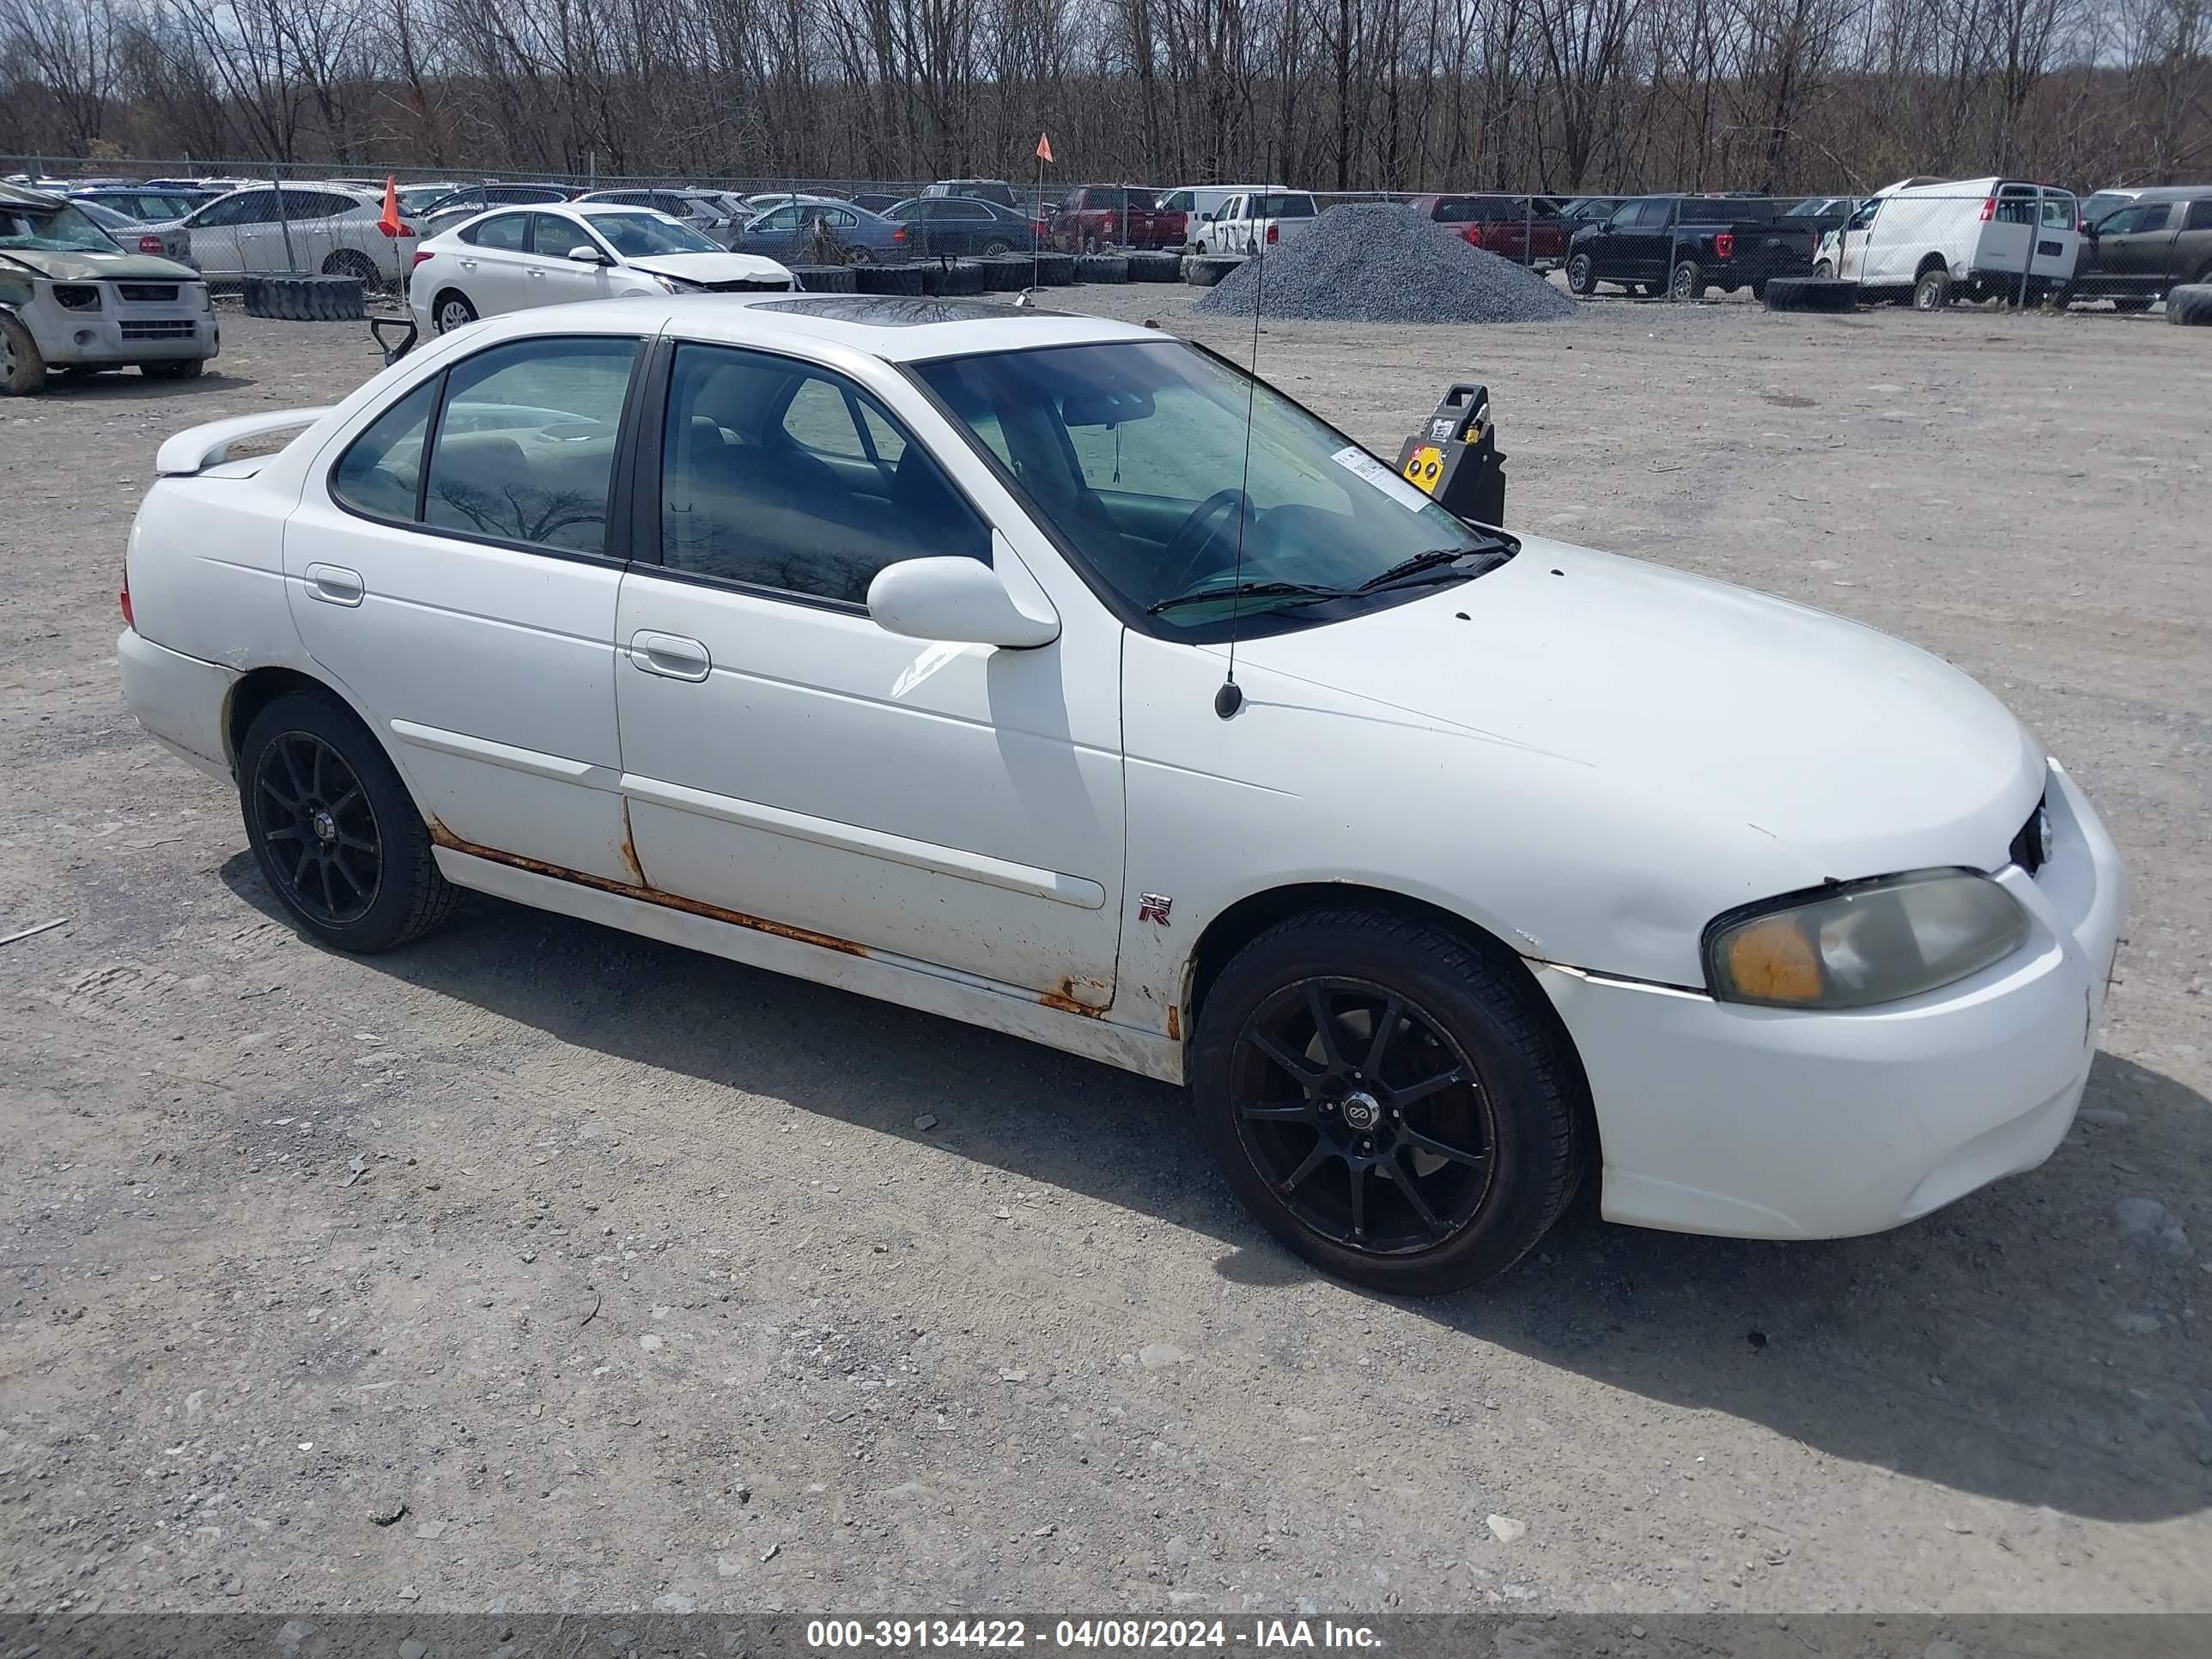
(884, 326)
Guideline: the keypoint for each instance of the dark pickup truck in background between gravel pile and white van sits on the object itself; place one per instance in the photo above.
(1680, 247)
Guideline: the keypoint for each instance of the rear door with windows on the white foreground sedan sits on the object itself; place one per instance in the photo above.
(470, 605)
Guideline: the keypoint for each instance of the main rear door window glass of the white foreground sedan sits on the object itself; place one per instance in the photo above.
(528, 444)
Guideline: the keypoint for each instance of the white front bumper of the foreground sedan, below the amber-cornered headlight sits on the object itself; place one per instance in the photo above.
(1777, 1125)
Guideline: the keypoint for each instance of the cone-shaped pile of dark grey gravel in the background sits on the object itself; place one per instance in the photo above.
(1379, 264)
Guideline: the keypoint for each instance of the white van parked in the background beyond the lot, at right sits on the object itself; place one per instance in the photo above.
(1959, 238)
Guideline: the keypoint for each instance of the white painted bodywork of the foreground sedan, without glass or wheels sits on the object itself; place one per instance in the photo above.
(1583, 755)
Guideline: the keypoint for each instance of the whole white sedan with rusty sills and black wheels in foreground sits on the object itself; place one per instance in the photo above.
(884, 643)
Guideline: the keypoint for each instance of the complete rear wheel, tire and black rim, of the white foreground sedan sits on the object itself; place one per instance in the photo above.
(333, 828)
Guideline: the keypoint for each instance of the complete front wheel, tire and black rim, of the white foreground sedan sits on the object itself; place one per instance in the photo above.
(1386, 1100)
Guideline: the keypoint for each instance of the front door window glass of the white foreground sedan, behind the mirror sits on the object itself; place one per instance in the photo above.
(797, 505)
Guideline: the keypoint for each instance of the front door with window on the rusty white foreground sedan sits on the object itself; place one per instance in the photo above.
(789, 760)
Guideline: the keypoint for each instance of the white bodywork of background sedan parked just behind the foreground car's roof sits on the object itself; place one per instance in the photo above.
(494, 280)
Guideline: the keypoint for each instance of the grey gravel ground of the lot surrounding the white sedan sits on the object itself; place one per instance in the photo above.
(674, 1284)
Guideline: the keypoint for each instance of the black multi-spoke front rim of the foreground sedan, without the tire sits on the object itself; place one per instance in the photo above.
(1366, 1118)
